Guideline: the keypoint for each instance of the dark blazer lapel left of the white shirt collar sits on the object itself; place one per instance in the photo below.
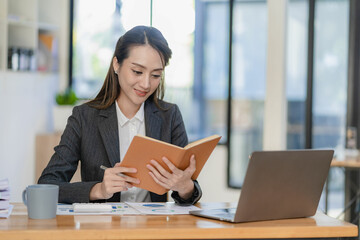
(108, 127)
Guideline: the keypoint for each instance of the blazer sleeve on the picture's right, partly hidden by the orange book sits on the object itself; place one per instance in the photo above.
(179, 138)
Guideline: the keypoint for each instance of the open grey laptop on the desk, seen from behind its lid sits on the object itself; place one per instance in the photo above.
(278, 185)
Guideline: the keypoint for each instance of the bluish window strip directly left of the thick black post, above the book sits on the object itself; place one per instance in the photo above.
(210, 89)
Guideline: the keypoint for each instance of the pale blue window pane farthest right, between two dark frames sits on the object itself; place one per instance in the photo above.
(330, 86)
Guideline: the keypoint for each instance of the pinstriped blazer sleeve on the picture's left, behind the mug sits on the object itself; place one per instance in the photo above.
(64, 162)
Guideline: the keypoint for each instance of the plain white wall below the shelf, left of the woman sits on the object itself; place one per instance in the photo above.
(26, 109)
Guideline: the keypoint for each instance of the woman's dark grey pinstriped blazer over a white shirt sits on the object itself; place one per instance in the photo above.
(91, 136)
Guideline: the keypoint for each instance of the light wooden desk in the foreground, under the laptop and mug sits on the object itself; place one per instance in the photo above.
(18, 226)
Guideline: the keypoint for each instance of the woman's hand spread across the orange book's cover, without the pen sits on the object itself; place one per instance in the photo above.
(176, 180)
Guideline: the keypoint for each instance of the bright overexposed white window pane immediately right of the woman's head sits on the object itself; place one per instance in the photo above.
(168, 17)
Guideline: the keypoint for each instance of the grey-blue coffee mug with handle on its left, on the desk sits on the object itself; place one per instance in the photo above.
(41, 200)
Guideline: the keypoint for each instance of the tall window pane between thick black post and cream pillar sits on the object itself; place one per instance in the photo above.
(248, 85)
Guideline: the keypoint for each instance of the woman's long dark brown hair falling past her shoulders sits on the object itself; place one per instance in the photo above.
(139, 35)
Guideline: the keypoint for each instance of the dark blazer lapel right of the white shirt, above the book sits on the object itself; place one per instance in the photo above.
(153, 122)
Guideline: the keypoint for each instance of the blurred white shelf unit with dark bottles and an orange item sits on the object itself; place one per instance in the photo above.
(28, 26)
